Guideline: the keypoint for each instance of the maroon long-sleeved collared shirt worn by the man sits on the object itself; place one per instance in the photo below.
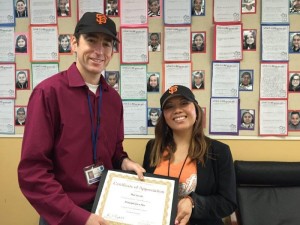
(57, 145)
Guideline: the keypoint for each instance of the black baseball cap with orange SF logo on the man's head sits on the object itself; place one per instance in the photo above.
(94, 22)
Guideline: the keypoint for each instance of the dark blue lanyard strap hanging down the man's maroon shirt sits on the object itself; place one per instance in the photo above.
(95, 131)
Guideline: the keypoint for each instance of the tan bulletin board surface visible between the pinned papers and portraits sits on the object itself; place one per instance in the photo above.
(200, 61)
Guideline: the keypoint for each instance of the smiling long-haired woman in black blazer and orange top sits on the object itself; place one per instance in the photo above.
(204, 167)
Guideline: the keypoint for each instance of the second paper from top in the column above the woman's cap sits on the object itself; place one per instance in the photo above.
(177, 44)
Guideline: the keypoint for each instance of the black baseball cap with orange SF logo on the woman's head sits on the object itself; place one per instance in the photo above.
(177, 90)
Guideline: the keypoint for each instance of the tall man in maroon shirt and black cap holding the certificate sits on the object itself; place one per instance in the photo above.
(72, 129)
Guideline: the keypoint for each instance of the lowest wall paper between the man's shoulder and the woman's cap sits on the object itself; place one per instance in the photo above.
(135, 117)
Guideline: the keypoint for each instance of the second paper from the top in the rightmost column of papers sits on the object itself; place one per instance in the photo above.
(275, 43)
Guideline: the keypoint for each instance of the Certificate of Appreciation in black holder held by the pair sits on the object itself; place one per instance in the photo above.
(124, 199)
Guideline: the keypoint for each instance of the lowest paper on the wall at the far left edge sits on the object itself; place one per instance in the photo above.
(7, 116)
